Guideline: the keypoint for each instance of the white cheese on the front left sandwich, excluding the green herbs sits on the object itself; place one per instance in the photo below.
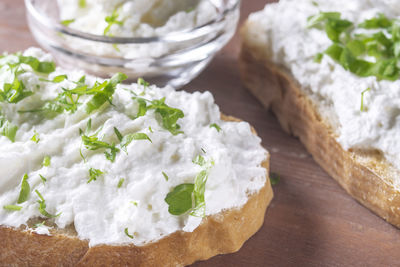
(100, 210)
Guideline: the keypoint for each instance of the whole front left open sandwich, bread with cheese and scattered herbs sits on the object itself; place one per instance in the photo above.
(98, 173)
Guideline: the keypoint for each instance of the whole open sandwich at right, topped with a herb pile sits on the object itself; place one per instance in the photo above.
(330, 72)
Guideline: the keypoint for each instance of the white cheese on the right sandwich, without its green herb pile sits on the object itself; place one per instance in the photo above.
(282, 29)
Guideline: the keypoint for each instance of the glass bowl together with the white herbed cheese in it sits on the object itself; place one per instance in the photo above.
(164, 41)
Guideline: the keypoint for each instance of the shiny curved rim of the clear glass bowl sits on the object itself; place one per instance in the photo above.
(176, 36)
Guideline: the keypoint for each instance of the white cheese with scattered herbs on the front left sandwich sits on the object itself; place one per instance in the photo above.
(103, 156)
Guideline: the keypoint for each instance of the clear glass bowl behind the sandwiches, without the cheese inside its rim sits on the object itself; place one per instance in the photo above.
(172, 59)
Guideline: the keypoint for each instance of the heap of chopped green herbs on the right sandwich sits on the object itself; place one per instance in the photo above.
(352, 50)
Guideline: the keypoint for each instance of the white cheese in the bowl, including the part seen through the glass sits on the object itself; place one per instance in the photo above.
(134, 18)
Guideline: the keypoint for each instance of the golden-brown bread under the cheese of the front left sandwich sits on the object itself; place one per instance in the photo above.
(220, 233)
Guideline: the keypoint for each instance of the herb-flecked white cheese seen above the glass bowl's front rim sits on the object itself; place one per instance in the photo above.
(135, 18)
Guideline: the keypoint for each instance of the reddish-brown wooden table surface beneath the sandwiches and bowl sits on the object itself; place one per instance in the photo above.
(311, 221)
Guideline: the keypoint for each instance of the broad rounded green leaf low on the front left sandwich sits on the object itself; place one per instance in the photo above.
(180, 199)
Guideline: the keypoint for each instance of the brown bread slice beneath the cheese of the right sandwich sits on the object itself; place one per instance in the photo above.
(365, 175)
